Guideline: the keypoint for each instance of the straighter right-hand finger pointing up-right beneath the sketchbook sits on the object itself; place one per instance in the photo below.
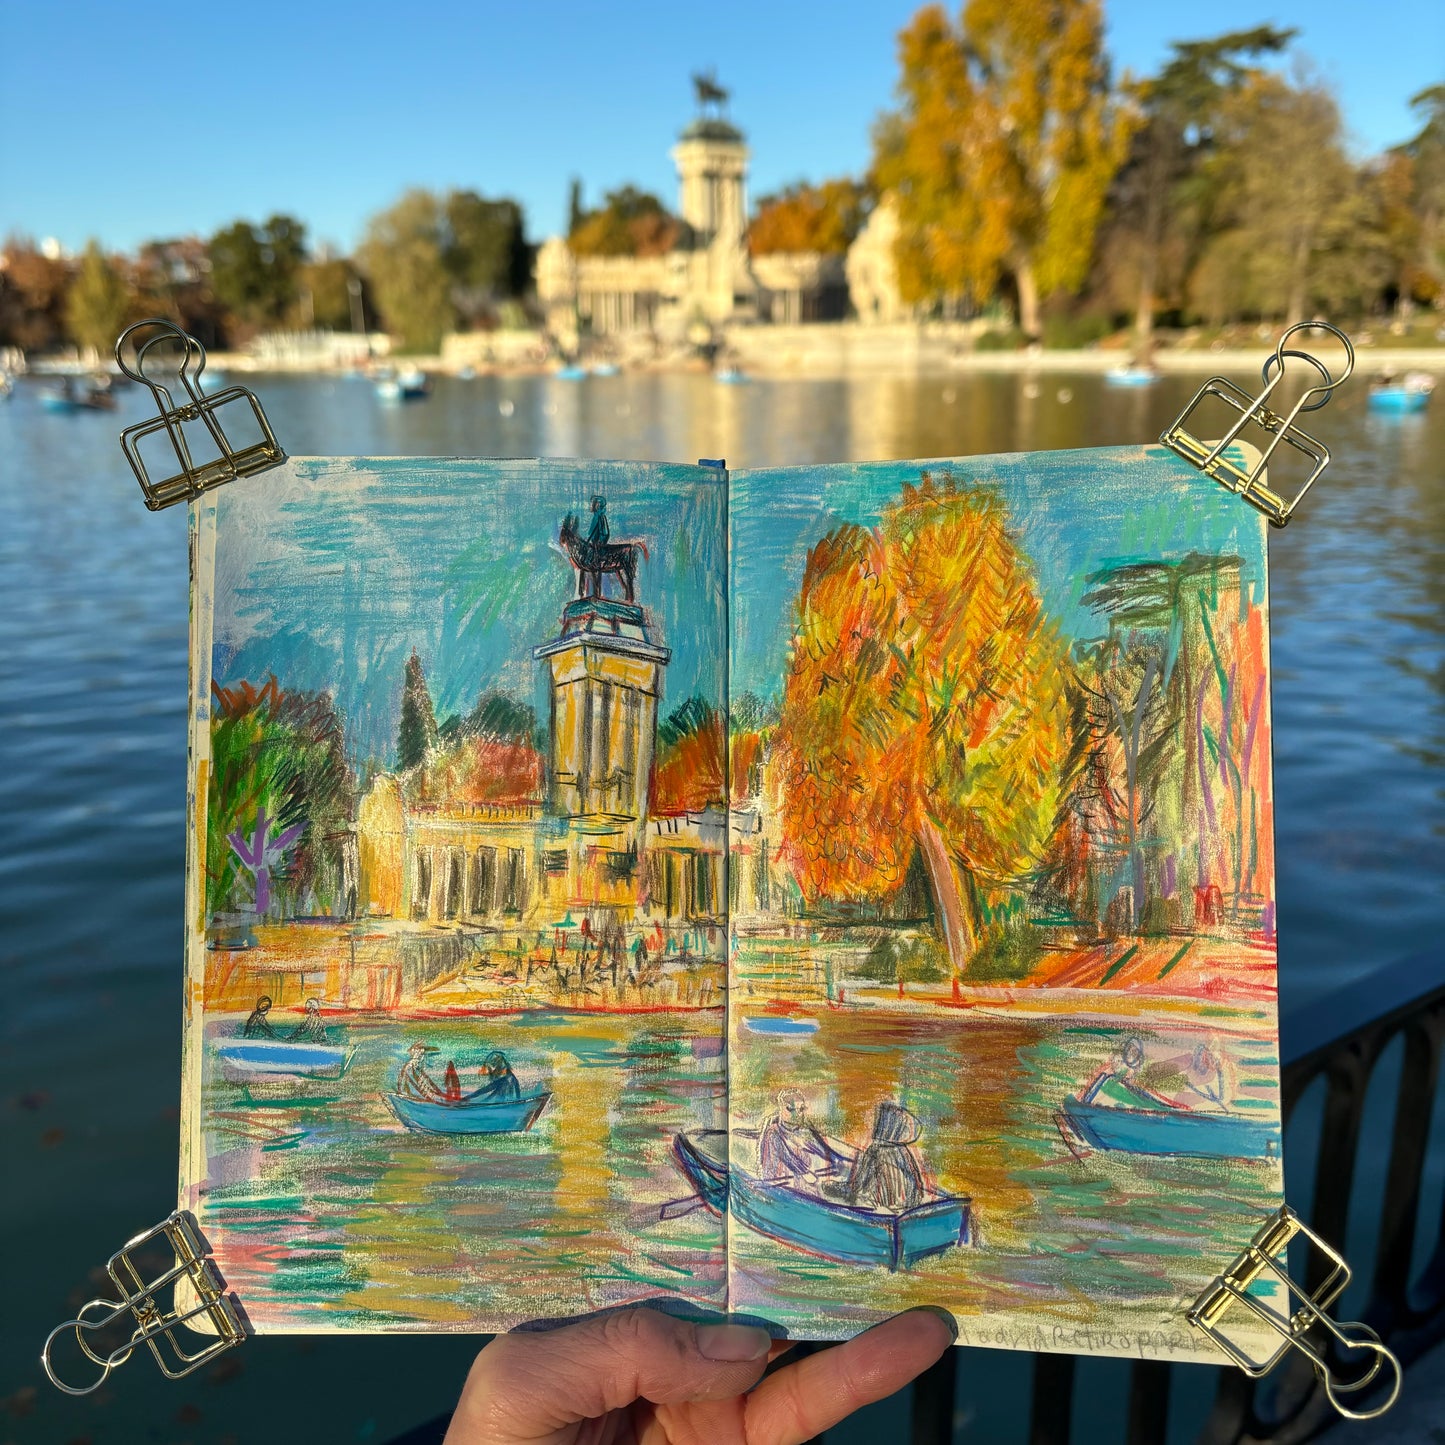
(813, 1395)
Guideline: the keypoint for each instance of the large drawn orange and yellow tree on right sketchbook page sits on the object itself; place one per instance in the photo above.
(928, 710)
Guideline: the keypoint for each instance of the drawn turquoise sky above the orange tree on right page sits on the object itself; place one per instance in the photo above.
(1074, 514)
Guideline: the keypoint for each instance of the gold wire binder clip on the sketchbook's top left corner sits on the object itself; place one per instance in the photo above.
(202, 414)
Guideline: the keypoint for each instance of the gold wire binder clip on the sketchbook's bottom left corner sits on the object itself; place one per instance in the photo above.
(197, 1290)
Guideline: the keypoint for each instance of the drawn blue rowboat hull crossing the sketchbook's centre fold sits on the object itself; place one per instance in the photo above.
(829, 1229)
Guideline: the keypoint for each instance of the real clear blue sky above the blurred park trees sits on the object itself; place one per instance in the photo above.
(128, 124)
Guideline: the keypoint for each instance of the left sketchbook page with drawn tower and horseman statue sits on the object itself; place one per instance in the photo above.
(456, 949)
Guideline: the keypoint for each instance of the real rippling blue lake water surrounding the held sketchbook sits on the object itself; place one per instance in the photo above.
(93, 637)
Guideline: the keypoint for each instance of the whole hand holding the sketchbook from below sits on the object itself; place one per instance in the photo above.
(641, 1378)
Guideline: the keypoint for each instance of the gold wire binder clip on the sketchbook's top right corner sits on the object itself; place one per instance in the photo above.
(1251, 483)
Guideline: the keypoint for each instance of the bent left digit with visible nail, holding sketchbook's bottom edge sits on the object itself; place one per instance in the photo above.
(531, 1386)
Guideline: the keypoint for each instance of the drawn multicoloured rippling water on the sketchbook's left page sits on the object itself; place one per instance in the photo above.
(323, 1199)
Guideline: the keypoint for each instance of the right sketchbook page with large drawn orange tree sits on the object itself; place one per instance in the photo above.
(1004, 1018)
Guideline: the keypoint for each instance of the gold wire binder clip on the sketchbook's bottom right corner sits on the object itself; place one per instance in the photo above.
(1264, 1262)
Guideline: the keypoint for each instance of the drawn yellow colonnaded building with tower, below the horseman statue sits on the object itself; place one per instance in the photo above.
(589, 840)
